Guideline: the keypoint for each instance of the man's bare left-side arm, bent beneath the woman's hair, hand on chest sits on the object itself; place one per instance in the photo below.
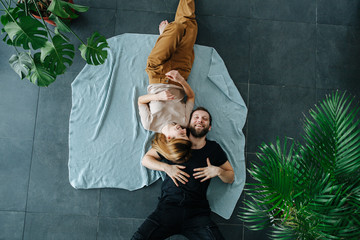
(152, 161)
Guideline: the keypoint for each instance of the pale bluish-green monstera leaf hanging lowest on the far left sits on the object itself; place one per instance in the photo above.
(21, 63)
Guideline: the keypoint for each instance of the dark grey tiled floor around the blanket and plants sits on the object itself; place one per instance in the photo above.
(283, 56)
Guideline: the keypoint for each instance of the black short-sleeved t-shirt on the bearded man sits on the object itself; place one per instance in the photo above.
(193, 193)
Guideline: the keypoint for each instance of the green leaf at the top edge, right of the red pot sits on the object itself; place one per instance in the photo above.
(65, 9)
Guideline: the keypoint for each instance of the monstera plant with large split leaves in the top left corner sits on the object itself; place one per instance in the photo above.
(48, 52)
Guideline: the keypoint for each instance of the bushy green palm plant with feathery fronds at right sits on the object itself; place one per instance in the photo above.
(311, 190)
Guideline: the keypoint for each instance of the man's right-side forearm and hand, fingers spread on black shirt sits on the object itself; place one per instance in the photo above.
(225, 172)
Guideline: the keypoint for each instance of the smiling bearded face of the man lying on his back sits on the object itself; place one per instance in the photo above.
(199, 123)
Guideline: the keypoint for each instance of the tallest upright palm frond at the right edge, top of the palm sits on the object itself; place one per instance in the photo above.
(333, 136)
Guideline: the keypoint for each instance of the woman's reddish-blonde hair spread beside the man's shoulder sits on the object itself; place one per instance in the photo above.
(175, 150)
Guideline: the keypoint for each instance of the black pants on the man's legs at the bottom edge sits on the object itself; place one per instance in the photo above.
(168, 220)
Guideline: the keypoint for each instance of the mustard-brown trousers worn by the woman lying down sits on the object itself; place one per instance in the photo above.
(174, 48)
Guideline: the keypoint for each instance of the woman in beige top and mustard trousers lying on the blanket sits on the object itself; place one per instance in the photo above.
(164, 110)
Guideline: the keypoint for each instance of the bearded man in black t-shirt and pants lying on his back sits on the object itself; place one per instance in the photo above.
(183, 207)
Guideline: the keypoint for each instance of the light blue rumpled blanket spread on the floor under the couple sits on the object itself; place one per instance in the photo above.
(107, 140)
